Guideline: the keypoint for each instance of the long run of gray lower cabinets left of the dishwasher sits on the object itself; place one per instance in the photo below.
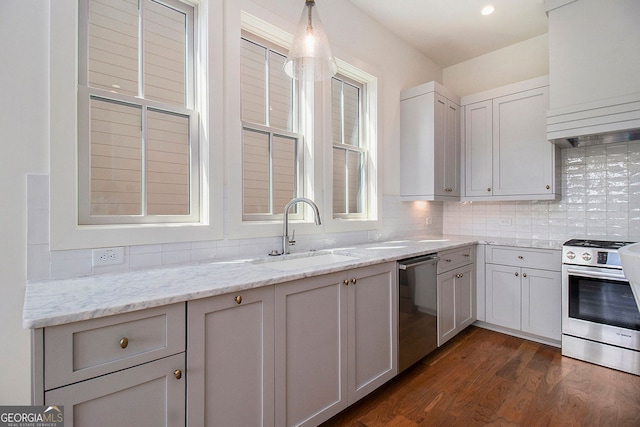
(294, 353)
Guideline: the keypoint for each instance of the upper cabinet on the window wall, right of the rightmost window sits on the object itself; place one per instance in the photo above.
(430, 143)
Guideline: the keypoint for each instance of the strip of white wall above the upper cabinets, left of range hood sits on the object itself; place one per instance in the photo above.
(521, 61)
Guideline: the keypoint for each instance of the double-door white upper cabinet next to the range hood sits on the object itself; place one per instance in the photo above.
(507, 154)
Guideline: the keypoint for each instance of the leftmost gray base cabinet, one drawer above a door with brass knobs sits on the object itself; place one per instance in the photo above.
(97, 368)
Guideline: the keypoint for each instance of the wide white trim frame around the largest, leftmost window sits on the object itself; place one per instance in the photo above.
(66, 232)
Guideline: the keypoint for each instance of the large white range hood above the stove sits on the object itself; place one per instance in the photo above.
(594, 64)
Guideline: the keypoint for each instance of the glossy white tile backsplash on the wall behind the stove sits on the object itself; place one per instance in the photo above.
(600, 199)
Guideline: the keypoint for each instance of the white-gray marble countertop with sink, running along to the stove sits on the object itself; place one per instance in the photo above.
(56, 302)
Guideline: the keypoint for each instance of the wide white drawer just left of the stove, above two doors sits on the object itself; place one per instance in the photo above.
(546, 259)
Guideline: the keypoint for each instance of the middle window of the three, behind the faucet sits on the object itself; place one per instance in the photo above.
(271, 147)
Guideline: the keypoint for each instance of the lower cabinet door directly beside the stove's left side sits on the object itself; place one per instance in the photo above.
(541, 302)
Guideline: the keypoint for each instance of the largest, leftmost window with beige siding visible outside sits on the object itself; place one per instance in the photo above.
(138, 141)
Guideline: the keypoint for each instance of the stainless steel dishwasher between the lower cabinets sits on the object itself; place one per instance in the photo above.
(418, 309)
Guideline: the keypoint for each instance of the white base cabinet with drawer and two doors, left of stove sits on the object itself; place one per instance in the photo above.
(523, 291)
